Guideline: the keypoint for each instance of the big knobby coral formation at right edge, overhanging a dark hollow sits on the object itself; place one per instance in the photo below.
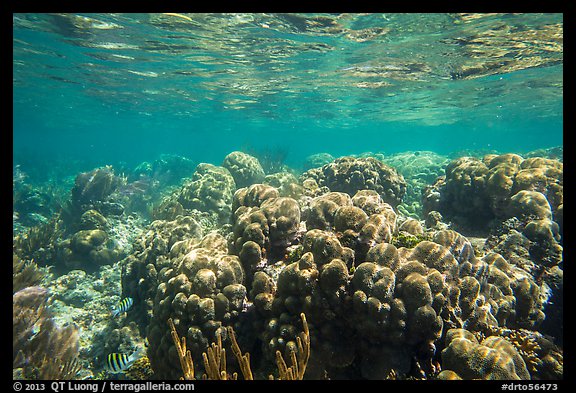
(516, 202)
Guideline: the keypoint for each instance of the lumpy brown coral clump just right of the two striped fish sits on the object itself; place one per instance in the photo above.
(202, 290)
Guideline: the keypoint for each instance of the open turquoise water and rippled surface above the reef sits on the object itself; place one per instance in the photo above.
(129, 87)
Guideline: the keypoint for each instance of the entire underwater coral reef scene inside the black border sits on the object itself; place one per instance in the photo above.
(287, 196)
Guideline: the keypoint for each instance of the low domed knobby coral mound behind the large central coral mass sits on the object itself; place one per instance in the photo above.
(349, 175)
